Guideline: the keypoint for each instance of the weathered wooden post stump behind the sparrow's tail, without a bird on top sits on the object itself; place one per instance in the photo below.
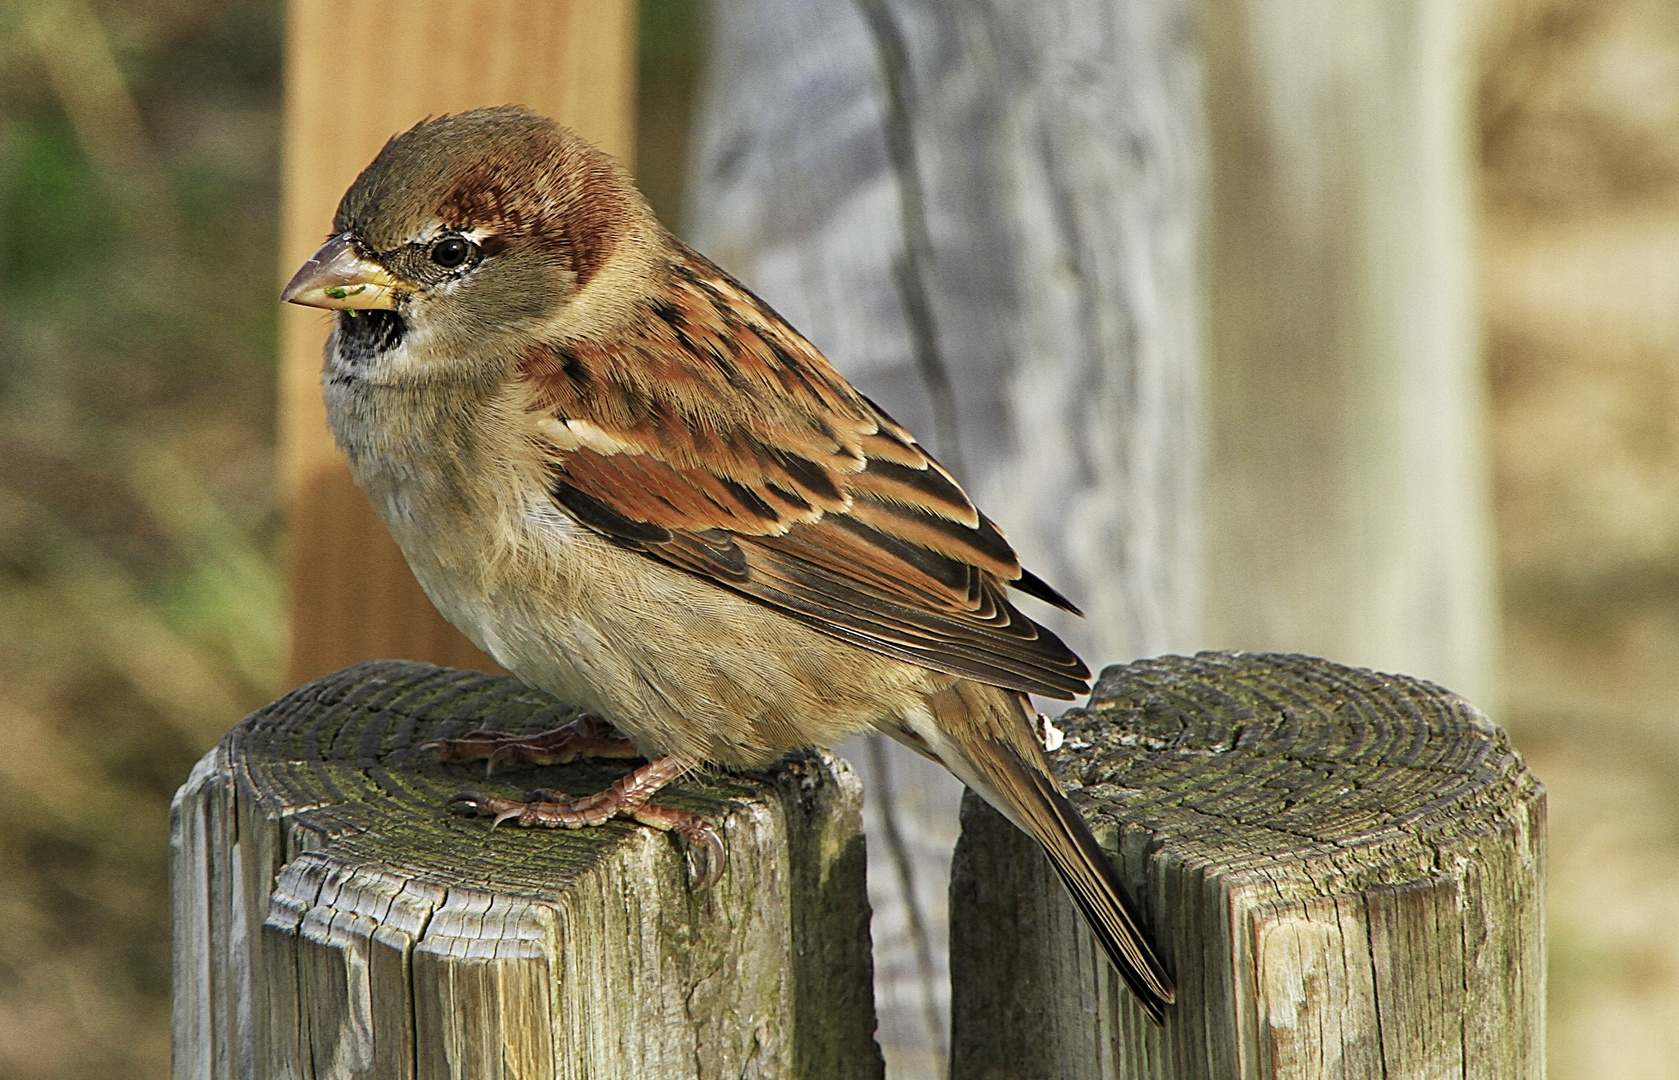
(1342, 869)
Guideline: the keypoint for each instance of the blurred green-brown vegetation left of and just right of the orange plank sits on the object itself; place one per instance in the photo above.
(140, 532)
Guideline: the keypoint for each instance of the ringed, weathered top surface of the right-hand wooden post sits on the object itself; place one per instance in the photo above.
(1243, 760)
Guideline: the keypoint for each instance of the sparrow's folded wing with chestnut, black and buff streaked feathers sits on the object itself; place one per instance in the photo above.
(718, 441)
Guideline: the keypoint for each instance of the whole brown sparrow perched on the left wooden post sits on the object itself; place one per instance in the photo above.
(636, 486)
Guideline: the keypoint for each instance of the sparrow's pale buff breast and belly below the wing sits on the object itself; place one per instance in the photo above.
(676, 663)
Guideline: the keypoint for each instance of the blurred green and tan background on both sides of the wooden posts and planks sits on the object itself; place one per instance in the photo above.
(142, 533)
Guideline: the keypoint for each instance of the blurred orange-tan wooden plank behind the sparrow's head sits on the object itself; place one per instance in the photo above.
(357, 73)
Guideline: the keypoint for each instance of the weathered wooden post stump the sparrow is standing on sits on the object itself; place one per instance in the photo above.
(333, 920)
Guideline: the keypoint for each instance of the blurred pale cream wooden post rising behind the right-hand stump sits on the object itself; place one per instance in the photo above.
(1347, 506)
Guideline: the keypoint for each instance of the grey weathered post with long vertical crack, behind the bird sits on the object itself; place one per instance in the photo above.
(1059, 164)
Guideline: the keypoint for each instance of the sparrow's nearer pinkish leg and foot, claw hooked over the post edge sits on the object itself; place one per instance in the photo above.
(629, 799)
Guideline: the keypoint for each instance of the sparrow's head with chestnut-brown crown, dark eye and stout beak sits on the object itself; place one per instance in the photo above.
(479, 233)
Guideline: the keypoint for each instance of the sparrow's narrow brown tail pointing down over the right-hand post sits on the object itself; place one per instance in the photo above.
(990, 733)
